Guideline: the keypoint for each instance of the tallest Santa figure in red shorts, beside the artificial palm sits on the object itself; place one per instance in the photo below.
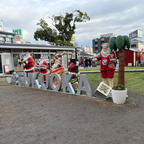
(107, 59)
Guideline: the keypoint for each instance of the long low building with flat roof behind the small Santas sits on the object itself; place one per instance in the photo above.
(10, 53)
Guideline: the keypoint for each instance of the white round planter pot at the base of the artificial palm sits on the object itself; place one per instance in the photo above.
(119, 96)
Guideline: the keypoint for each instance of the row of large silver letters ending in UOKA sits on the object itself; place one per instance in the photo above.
(31, 80)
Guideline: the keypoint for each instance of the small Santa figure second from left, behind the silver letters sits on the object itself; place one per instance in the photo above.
(43, 67)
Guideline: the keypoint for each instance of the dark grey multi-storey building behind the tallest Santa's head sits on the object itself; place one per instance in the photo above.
(97, 43)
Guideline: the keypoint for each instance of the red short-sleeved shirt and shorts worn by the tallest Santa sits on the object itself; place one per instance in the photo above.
(107, 67)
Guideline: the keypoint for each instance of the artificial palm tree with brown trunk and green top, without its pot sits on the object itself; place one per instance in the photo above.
(120, 43)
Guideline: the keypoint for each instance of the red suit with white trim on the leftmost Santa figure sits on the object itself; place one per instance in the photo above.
(28, 63)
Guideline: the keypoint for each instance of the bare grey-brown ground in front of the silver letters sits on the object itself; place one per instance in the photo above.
(32, 116)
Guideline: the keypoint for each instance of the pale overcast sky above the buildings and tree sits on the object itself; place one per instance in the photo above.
(120, 17)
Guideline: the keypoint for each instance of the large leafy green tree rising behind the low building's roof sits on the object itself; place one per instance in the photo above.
(65, 27)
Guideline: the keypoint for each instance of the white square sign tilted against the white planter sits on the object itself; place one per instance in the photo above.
(104, 88)
